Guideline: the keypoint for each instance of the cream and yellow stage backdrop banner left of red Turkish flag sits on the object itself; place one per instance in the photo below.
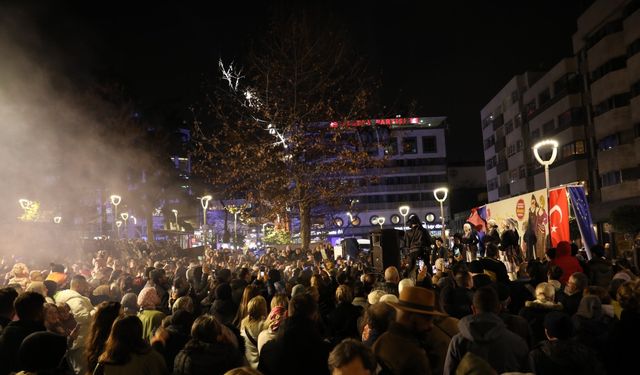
(526, 212)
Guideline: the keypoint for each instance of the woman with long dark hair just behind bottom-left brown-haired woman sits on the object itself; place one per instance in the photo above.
(106, 314)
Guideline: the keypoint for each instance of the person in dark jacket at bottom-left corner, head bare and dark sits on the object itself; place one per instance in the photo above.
(30, 308)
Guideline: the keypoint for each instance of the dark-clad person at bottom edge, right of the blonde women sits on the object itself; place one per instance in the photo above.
(298, 348)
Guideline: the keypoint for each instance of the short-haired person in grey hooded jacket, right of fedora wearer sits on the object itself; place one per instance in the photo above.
(485, 334)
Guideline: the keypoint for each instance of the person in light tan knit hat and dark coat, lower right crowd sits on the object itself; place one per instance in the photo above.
(535, 311)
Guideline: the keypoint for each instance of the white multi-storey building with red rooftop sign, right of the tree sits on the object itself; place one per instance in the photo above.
(415, 165)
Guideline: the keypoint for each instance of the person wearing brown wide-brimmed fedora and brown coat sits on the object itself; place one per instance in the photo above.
(401, 349)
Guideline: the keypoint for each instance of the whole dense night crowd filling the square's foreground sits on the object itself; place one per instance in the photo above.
(141, 309)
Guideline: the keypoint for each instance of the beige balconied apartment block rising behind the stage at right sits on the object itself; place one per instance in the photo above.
(589, 103)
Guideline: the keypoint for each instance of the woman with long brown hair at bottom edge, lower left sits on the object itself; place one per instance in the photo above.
(126, 352)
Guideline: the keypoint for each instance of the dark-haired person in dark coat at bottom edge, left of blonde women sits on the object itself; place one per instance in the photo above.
(209, 352)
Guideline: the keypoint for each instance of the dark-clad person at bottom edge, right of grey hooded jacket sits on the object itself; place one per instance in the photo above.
(559, 354)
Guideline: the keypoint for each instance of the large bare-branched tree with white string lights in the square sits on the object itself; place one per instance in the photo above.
(265, 135)
